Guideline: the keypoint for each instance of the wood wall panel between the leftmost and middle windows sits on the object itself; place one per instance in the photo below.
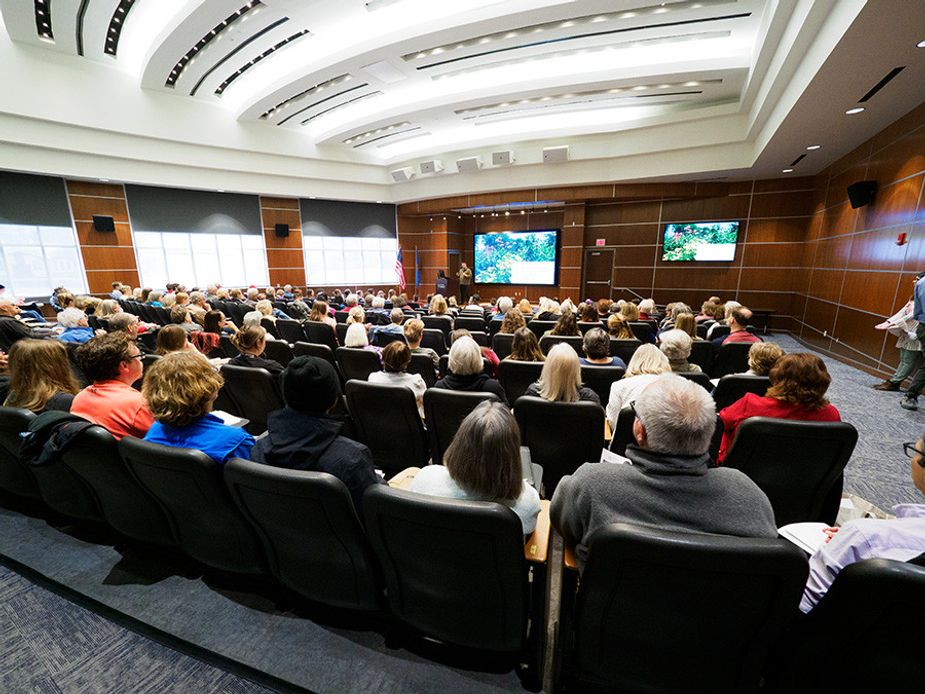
(108, 257)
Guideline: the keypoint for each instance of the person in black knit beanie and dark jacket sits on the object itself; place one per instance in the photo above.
(301, 436)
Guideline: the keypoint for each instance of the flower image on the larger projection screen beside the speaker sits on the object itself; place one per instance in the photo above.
(516, 258)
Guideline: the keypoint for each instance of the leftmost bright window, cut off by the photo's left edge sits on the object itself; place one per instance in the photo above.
(36, 259)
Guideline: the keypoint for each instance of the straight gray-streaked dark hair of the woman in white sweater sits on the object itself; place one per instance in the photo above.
(484, 457)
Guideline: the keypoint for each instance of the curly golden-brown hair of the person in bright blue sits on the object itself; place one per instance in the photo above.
(180, 388)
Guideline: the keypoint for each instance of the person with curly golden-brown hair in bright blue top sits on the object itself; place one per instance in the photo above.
(180, 390)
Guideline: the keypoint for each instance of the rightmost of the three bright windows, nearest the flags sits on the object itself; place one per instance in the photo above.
(335, 260)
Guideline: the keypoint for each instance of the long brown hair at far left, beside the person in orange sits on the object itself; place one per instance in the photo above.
(40, 376)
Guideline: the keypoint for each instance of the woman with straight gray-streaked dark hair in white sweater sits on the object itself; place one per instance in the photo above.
(483, 464)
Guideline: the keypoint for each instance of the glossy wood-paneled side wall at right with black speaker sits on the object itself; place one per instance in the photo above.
(856, 273)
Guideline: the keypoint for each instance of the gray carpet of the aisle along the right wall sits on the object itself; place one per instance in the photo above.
(879, 470)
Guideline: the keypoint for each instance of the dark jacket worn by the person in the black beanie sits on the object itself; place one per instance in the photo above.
(300, 441)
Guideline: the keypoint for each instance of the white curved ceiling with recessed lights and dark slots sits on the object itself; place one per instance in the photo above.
(327, 97)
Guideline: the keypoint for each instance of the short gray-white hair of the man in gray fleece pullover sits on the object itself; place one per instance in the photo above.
(679, 416)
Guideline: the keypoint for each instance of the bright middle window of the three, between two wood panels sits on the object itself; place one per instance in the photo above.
(196, 260)
